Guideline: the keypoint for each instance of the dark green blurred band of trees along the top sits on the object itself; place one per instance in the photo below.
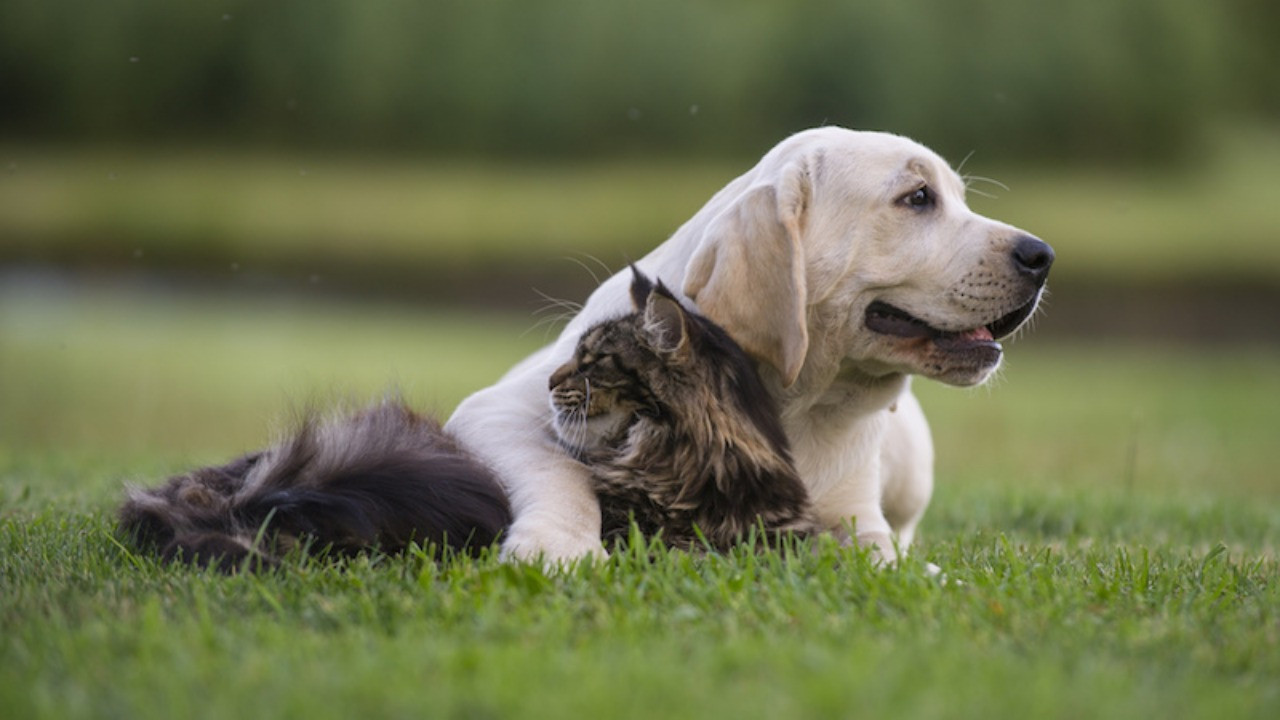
(1031, 79)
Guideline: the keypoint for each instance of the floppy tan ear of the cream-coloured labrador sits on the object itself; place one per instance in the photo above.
(748, 274)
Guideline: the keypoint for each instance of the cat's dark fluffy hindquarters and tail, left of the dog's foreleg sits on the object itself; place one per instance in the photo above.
(382, 477)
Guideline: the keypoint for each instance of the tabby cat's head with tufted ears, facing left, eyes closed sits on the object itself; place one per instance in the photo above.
(661, 364)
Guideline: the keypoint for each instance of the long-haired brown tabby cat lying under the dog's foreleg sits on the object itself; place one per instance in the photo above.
(664, 408)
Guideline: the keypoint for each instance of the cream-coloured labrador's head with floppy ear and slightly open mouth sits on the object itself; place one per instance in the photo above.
(857, 249)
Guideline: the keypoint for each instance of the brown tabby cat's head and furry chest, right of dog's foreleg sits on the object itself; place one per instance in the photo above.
(679, 432)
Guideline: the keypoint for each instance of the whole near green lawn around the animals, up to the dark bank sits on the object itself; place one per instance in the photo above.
(1107, 518)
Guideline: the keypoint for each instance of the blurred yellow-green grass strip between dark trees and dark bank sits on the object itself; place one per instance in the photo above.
(1213, 220)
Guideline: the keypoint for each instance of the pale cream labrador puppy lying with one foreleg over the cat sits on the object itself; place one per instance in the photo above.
(845, 262)
